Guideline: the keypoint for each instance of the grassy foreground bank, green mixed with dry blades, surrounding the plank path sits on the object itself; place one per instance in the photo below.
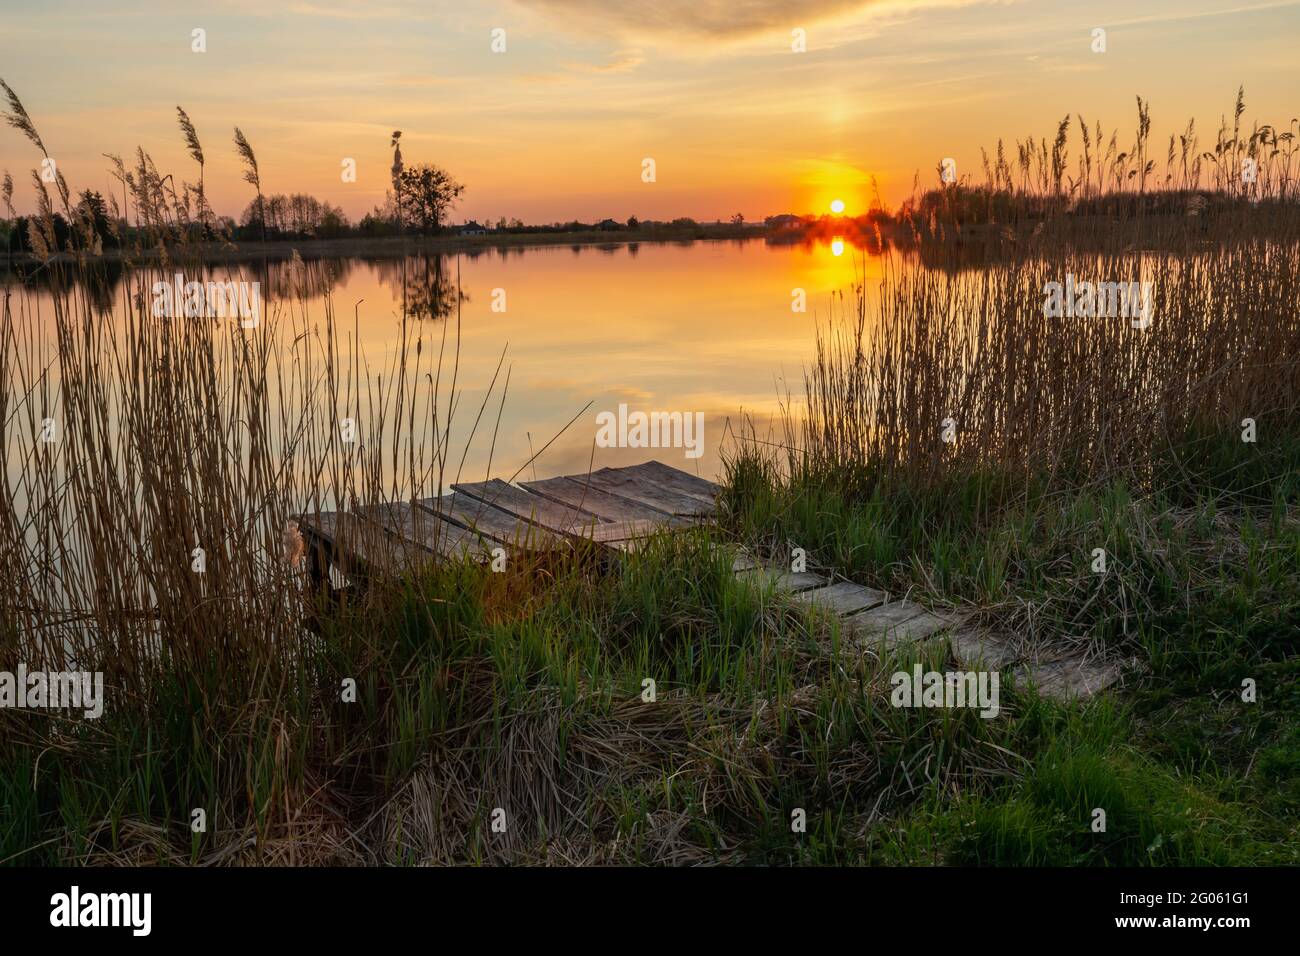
(525, 691)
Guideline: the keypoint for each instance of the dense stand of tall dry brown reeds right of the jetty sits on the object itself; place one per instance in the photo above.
(1030, 393)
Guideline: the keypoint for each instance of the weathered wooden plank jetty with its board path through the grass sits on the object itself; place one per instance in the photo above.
(618, 508)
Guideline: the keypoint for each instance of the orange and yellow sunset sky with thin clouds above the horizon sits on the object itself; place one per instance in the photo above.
(558, 126)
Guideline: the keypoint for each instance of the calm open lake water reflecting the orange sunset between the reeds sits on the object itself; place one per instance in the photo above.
(690, 328)
